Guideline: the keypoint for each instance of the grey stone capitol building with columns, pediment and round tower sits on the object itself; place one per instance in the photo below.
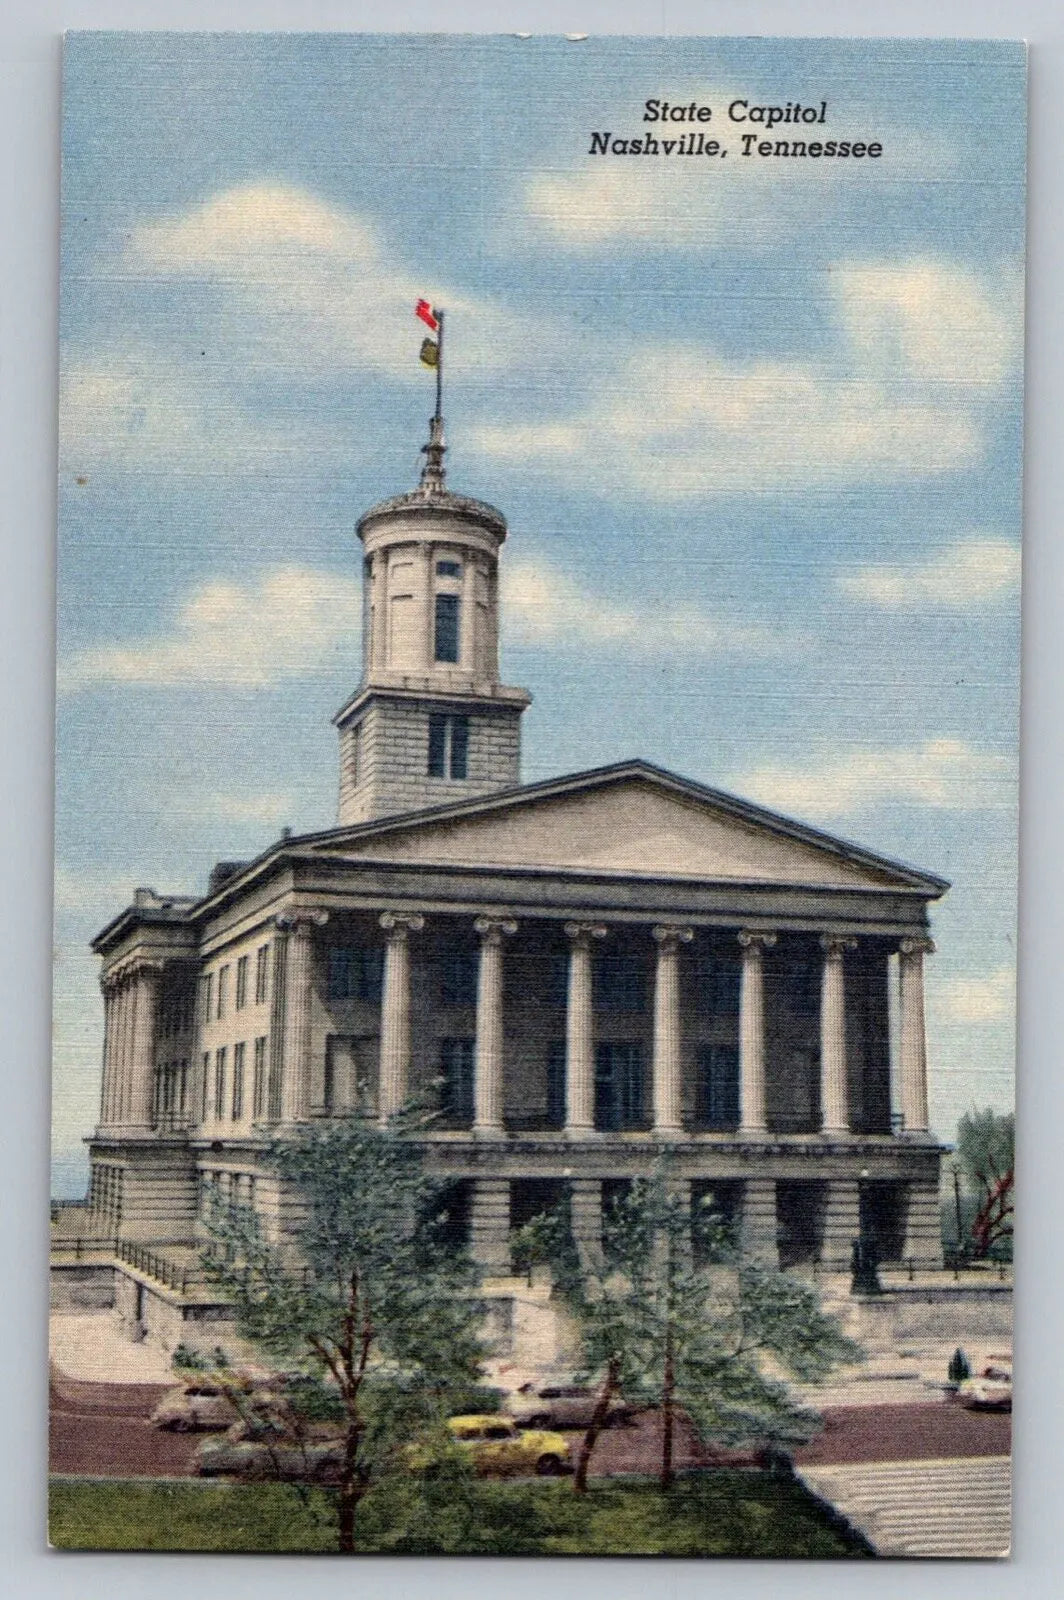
(583, 970)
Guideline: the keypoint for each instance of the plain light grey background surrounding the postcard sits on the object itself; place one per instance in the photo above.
(30, 145)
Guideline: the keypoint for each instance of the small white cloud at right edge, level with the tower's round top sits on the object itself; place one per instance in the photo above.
(970, 574)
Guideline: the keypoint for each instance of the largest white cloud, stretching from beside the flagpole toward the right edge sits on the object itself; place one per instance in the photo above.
(894, 401)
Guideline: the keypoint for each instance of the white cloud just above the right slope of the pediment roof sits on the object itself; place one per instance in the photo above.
(942, 774)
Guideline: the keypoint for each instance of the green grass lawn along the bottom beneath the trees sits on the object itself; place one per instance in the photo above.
(727, 1514)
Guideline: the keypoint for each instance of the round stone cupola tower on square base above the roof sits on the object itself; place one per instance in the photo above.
(431, 721)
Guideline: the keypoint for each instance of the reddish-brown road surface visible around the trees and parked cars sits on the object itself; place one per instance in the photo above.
(103, 1431)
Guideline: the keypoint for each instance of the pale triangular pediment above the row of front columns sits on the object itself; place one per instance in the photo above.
(634, 822)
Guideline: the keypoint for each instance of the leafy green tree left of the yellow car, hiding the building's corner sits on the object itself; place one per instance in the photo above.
(369, 1295)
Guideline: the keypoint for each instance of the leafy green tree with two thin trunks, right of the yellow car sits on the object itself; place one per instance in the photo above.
(670, 1314)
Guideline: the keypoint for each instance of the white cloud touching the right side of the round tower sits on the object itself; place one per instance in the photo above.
(543, 606)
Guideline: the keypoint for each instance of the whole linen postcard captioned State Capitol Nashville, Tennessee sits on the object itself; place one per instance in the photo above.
(537, 794)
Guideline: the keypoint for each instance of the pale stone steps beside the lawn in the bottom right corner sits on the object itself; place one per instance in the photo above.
(958, 1508)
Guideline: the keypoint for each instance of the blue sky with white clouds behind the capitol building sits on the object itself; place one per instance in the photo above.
(756, 426)
